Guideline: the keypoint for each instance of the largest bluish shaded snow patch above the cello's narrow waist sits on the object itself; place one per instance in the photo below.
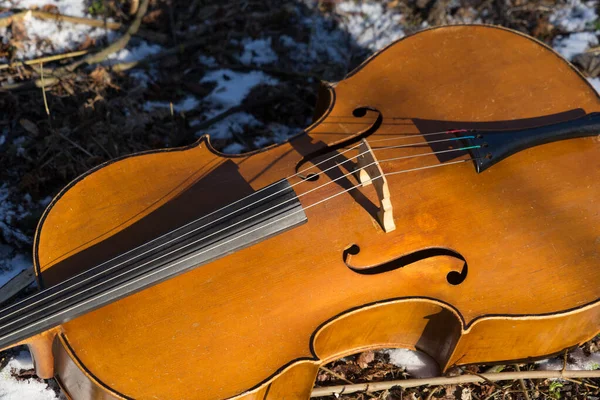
(232, 87)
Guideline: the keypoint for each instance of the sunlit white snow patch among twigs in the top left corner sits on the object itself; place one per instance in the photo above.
(51, 37)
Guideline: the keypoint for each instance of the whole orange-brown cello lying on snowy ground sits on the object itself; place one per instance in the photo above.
(445, 199)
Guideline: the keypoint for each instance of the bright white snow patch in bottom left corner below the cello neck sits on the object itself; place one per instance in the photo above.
(30, 389)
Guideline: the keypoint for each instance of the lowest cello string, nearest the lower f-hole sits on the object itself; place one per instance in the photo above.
(158, 270)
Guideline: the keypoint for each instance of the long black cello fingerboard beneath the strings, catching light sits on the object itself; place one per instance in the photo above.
(250, 220)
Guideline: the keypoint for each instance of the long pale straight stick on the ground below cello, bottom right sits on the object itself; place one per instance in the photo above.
(456, 380)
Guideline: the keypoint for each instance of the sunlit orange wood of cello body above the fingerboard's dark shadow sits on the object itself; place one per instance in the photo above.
(113, 196)
